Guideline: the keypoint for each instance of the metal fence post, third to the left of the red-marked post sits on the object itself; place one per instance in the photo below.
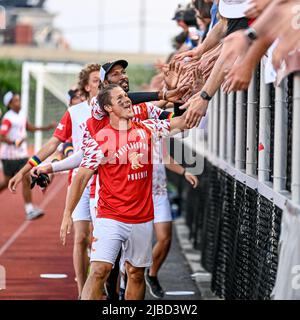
(230, 129)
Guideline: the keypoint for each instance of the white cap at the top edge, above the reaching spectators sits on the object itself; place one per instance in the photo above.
(233, 9)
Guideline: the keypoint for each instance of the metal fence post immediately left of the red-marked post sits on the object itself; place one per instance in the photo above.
(251, 151)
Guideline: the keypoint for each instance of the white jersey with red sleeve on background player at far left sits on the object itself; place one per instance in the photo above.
(13, 126)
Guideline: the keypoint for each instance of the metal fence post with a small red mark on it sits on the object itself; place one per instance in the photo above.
(264, 130)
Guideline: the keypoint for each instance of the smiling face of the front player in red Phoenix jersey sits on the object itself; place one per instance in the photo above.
(121, 105)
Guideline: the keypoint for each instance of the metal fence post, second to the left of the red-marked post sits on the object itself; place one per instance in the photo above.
(240, 147)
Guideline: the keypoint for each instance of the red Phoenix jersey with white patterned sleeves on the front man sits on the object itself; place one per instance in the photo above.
(125, 194)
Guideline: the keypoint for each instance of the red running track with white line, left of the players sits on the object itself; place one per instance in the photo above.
(29, 249)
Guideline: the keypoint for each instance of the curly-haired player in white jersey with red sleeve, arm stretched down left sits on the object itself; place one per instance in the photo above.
(72, 125)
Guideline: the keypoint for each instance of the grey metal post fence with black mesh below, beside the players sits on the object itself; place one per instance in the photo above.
(246, 217)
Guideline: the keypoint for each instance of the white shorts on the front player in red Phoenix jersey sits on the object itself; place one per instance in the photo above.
(110, 236)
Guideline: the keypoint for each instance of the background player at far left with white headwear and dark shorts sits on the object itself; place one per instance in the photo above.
(13, 150)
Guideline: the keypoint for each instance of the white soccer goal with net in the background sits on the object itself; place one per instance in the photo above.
(44, 95)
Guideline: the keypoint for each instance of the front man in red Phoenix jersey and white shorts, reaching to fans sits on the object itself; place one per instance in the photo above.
(125, 207)
